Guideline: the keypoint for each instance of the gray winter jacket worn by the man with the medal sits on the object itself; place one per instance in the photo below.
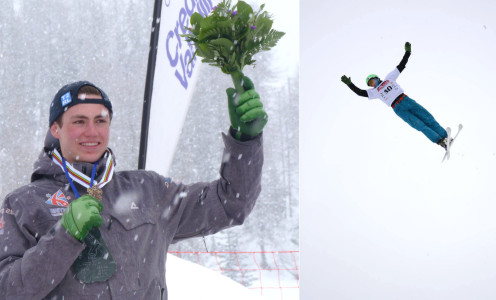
(143, 214)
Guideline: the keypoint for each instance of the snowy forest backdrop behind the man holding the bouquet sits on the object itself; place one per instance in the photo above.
(43, 47)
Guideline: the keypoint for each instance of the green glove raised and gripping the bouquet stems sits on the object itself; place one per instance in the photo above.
(246, 111)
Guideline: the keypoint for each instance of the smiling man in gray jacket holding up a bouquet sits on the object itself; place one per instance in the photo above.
(59, 242)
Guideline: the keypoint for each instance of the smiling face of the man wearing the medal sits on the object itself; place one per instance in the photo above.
(85, 131)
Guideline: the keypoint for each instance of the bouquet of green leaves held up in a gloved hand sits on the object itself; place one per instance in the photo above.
(230, 36)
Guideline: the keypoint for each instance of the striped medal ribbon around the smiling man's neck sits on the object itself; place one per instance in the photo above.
(81, 178)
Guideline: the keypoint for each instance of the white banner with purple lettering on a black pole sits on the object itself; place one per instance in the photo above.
(174, 81)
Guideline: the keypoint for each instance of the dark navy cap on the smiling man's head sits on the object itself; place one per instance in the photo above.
(67, 96)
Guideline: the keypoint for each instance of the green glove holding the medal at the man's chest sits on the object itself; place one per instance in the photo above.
(82, 215)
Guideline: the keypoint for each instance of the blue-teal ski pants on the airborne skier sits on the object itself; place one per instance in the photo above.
(419, 118)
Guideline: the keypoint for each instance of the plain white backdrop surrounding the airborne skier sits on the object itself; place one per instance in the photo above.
(381, 217)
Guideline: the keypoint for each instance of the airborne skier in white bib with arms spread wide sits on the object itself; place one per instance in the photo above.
(406, 108)
